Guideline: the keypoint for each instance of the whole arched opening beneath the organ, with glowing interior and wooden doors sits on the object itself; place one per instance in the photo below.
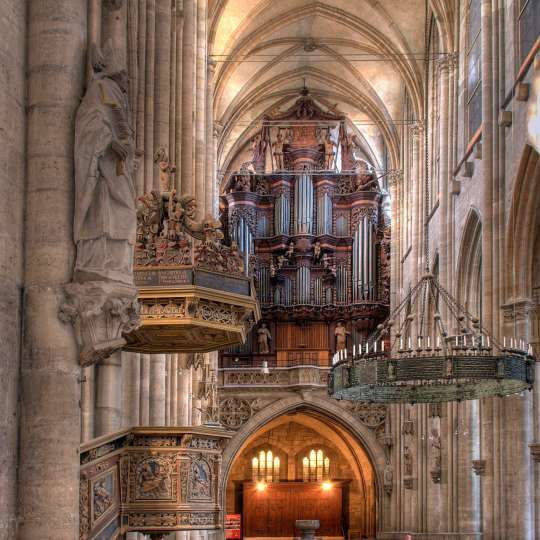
(301, 459)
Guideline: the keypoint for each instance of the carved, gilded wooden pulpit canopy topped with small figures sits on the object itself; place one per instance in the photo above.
(195, 293)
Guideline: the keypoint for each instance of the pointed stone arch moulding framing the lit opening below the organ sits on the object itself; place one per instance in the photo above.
(335, 415)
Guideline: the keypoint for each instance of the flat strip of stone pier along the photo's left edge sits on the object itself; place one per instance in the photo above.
(12, 183)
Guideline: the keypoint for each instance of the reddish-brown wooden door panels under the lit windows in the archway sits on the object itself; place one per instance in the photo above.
(273, 512)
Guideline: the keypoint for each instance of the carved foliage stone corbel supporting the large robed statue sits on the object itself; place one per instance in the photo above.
(101, 312)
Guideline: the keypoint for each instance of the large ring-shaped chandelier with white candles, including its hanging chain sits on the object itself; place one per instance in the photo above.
(431, 349)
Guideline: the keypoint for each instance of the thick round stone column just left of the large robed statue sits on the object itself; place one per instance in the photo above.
(50, 373)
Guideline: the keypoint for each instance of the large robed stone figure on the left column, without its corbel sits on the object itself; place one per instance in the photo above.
(105, 218)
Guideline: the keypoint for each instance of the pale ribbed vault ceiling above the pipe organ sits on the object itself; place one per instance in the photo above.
(356, 55)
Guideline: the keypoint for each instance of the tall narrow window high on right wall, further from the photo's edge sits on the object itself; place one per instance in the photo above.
(474, 72)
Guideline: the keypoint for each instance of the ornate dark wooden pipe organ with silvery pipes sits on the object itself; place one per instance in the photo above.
(307, 215)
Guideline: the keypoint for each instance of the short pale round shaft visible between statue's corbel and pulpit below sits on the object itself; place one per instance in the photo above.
(108, 409)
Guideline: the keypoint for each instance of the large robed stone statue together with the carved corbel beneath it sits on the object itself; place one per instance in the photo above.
(101, 301)
